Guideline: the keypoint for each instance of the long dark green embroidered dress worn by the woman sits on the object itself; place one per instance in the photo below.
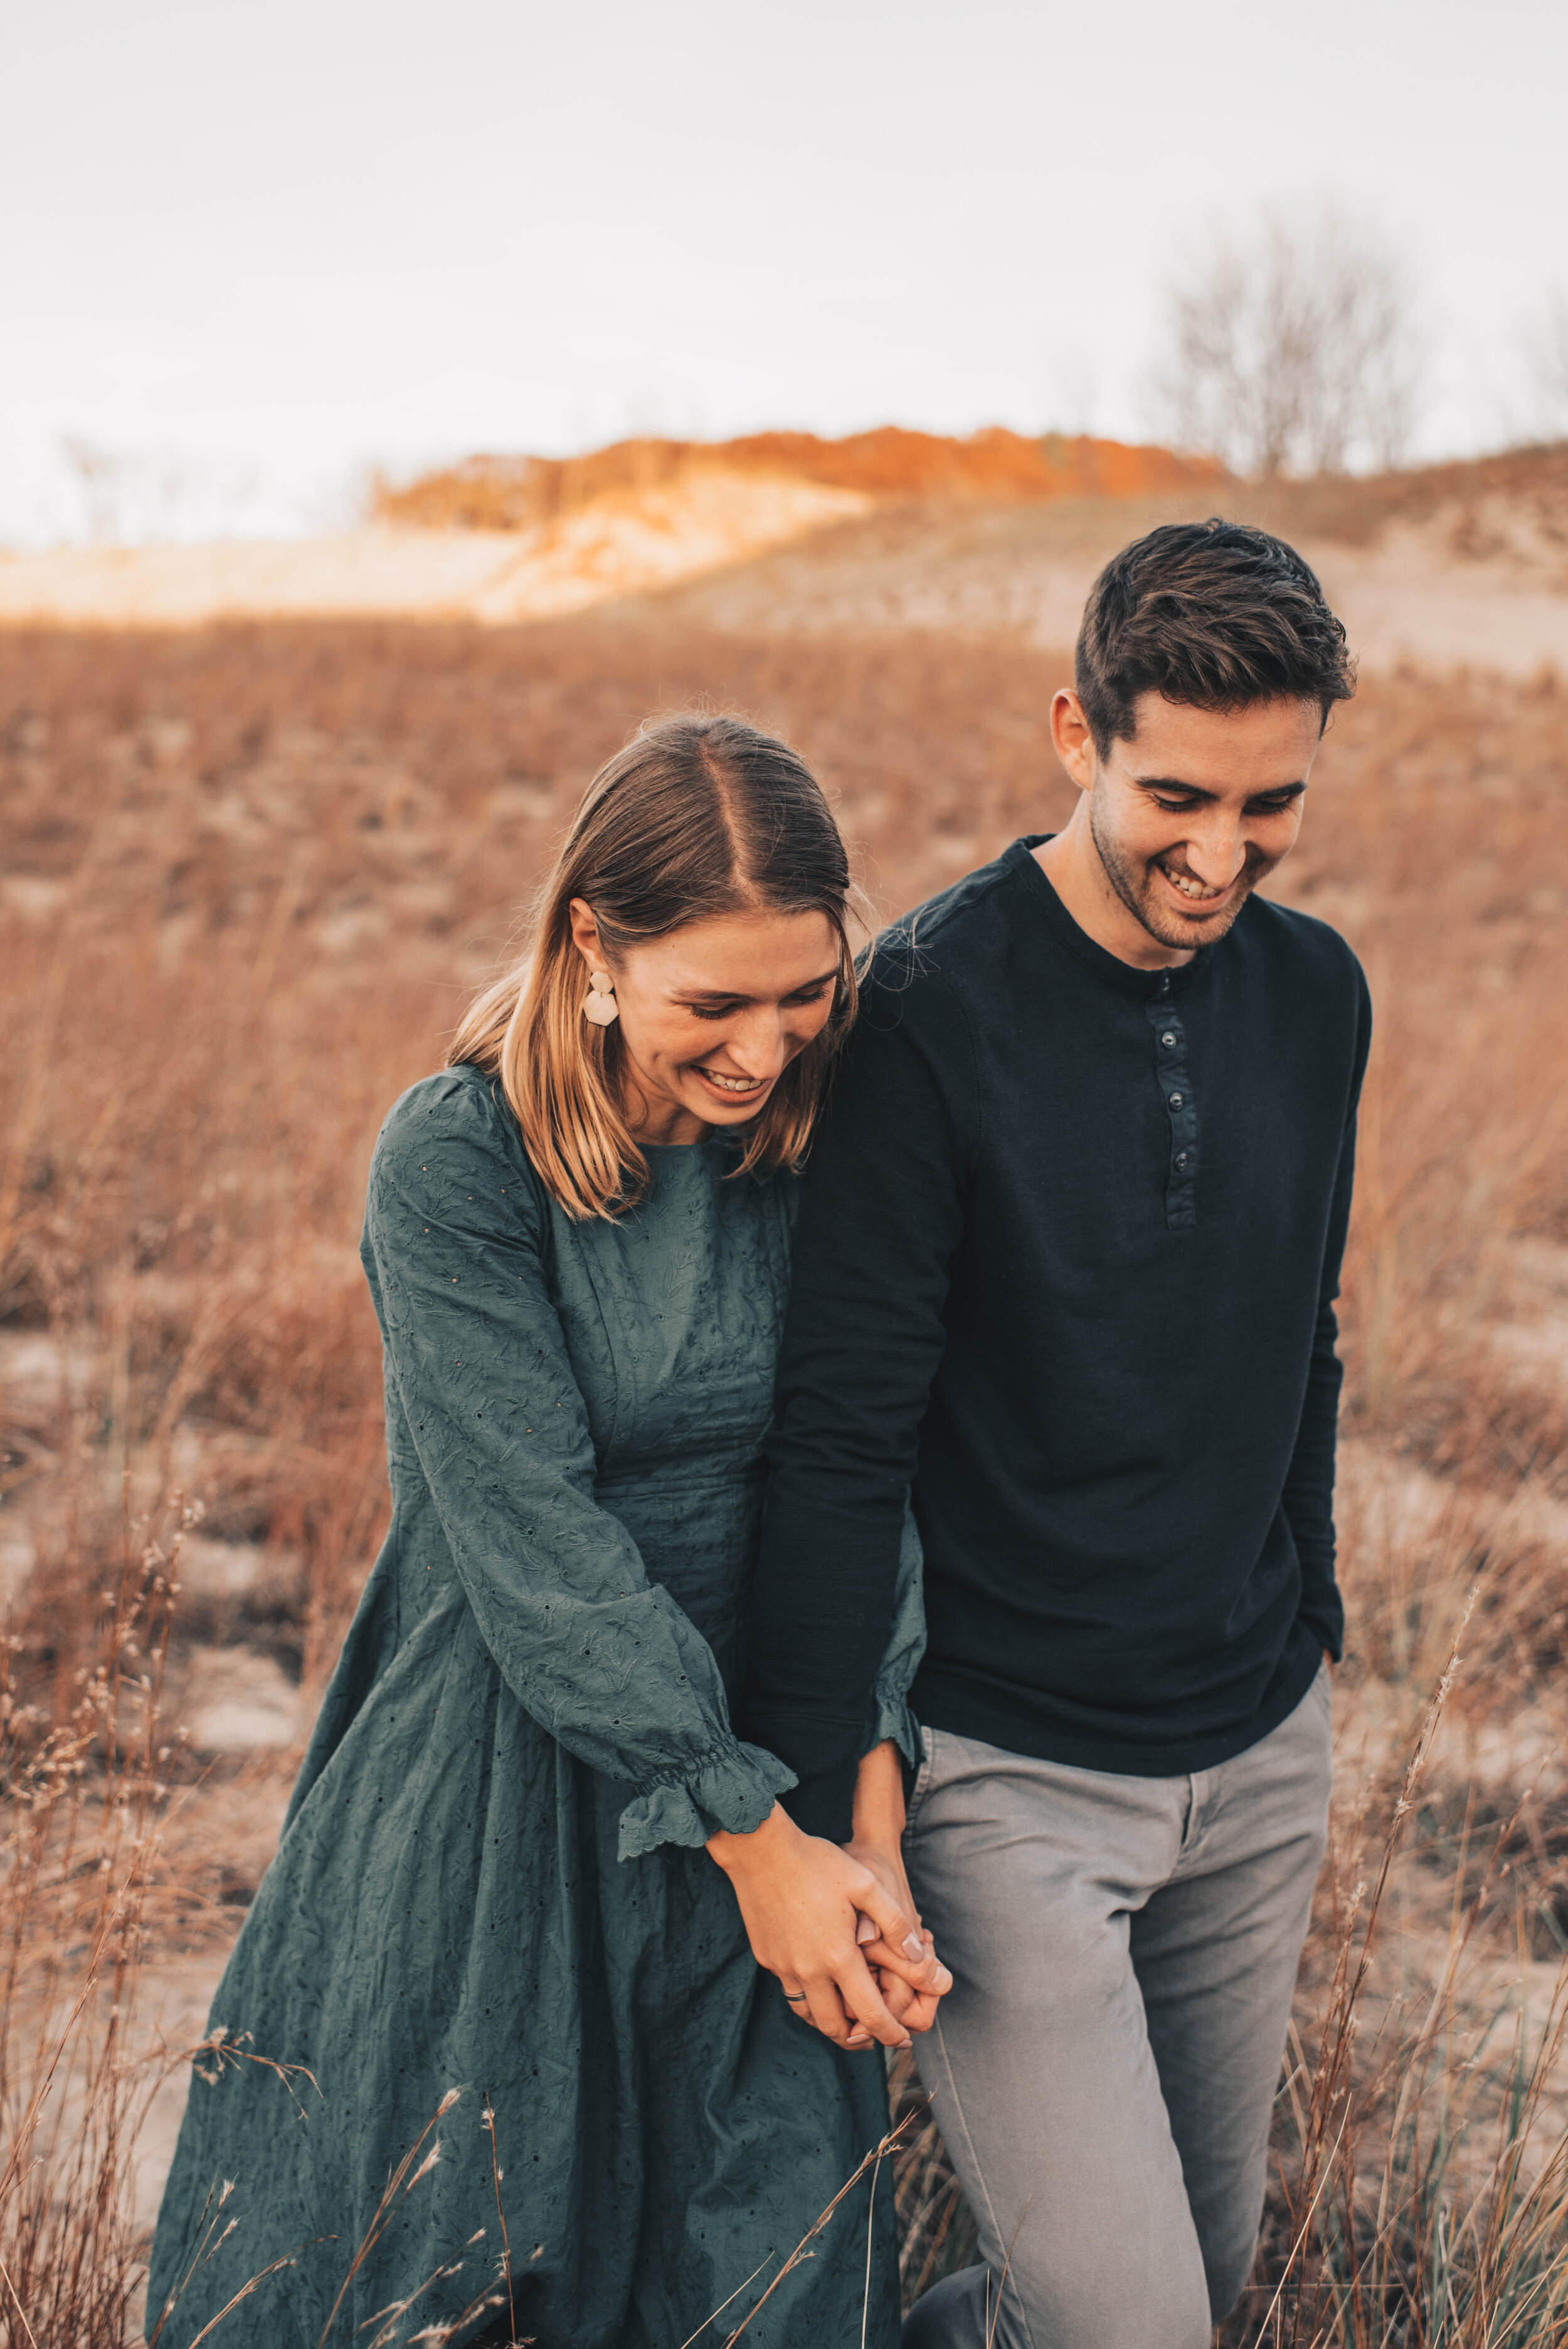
(492, 1876)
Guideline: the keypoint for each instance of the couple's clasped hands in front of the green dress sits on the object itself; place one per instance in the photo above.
(837, 1923)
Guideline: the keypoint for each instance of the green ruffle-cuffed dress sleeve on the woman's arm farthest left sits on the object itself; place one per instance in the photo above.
(602, 1657)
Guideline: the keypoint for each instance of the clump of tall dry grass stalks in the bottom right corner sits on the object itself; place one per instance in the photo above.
(1424, 2188)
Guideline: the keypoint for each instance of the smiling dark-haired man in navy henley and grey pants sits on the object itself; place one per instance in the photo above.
(1067, 1267)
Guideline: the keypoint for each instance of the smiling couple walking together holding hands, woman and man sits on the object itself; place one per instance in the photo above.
(860, 1566)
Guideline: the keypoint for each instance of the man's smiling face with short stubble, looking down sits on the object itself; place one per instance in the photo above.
(1194, 809)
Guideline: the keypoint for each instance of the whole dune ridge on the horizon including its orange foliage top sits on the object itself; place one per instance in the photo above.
(1459, 567)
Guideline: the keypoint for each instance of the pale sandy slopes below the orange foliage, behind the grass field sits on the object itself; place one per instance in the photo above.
(776, 556)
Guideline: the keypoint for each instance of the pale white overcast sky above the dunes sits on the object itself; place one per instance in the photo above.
(252, 253)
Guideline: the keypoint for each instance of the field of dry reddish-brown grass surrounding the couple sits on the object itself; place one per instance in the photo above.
(250, 880)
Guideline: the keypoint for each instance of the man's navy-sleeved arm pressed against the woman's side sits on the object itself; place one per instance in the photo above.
(881, 1218)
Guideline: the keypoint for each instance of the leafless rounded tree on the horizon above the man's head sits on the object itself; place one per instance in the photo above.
(1295, 349)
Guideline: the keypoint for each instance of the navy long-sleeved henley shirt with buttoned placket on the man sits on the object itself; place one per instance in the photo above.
(1067, 1265)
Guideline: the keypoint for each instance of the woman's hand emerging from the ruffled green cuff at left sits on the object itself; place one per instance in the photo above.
(802, 1902)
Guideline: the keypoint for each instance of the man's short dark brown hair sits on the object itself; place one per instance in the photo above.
(1210, 614)
